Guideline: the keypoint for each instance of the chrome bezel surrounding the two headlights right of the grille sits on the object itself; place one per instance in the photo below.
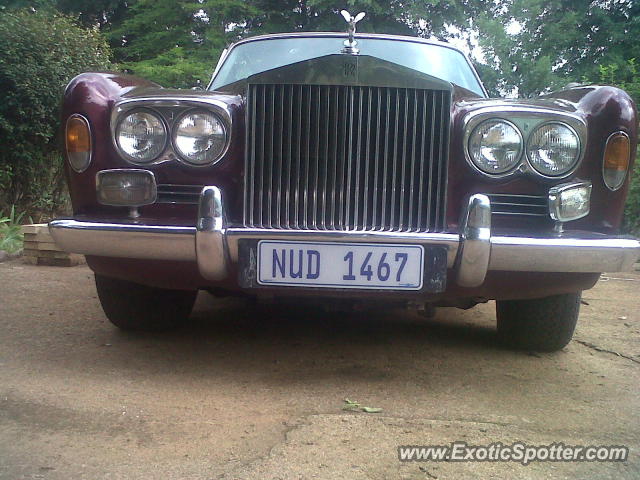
(526, 119)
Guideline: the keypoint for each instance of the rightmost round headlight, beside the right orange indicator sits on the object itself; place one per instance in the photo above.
(553, 149)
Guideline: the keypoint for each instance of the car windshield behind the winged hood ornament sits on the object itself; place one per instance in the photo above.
(258, 56)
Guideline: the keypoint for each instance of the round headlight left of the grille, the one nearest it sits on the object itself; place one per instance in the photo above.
(199, 137)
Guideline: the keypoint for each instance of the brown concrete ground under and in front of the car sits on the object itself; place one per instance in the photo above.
(257, 394)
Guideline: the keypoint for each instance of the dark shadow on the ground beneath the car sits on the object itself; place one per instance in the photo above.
(245, 330)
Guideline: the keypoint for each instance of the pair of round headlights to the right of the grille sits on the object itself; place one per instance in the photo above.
(497, 147)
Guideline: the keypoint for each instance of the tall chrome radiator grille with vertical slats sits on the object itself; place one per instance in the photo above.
(323, 157)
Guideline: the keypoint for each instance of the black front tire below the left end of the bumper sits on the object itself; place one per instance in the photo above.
(131, 306)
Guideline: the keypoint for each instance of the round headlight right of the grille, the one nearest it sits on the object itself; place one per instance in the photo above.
(495, 146)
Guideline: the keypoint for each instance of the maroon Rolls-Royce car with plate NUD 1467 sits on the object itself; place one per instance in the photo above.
(371, 170)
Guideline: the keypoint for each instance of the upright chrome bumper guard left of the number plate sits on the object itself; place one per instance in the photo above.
(210, 236)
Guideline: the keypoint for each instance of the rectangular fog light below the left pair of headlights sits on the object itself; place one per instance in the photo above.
(126, 188)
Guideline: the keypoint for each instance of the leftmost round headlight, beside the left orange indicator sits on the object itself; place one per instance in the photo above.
(141, 136)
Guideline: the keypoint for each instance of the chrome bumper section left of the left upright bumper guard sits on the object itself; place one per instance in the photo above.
(125, 240)
